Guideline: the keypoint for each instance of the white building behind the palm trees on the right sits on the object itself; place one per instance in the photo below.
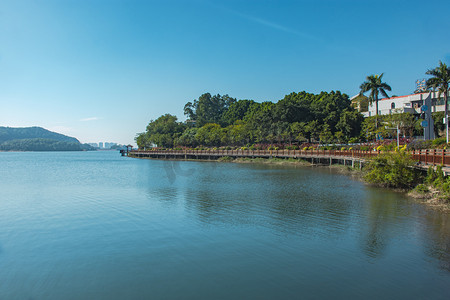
(406, 104)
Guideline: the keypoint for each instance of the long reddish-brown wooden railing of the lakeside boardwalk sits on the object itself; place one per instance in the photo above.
(426, 156)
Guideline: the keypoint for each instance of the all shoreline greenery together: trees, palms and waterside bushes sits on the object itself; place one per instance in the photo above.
(328, 120)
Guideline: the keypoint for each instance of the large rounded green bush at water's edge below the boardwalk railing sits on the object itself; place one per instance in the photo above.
(394, 170)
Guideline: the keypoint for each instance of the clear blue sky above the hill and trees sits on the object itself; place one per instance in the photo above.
(101, 70)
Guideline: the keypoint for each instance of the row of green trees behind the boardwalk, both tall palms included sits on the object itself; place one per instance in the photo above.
(327, 117)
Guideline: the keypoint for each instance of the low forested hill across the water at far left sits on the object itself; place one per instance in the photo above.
(37, 139)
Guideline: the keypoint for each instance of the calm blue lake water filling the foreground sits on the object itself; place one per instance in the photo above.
(94, 225)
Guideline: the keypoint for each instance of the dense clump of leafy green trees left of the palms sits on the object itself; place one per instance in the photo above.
(222, 120)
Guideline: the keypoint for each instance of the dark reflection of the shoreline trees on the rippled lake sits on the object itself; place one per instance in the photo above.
(296, 200)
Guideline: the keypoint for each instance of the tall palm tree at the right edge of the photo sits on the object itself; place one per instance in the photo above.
(440, 81)
